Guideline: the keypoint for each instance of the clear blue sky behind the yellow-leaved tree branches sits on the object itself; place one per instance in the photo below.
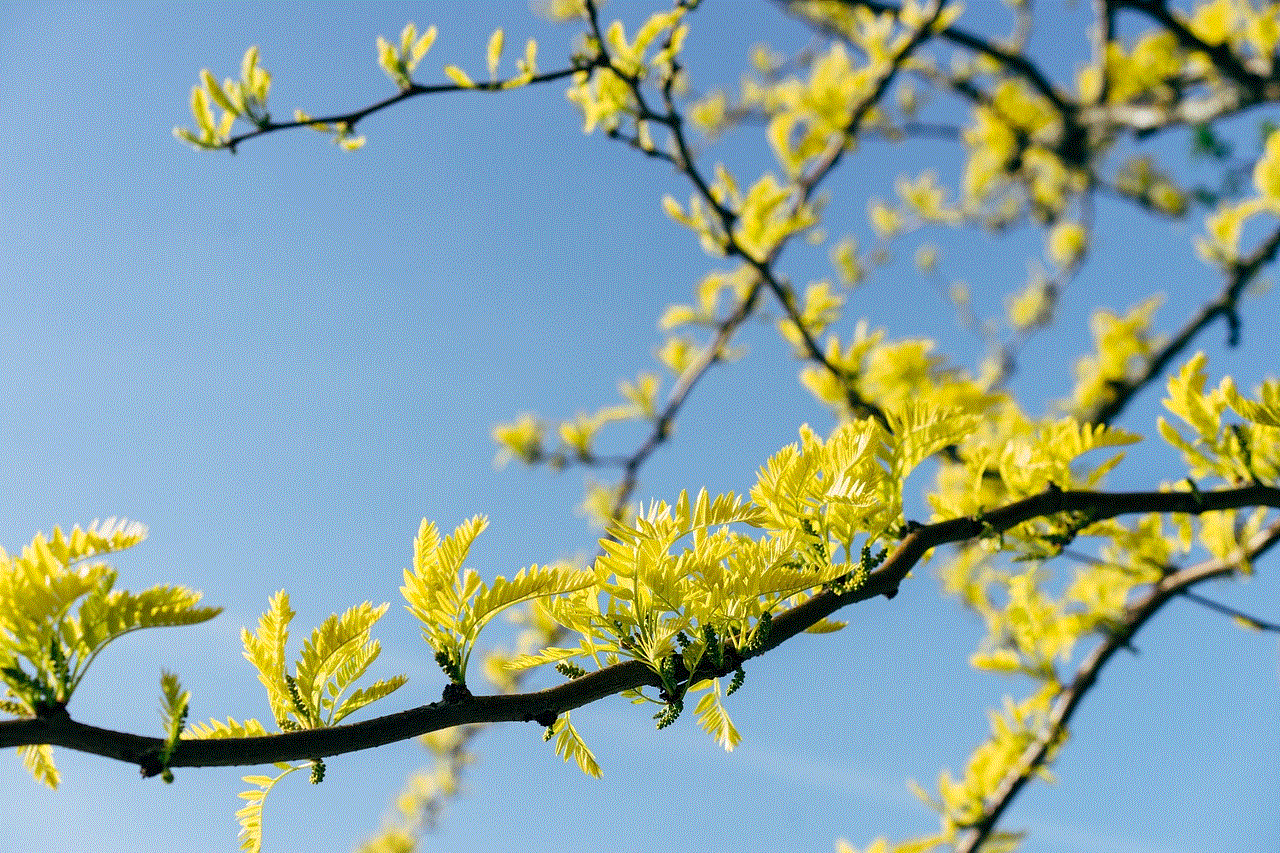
(282, 361)
